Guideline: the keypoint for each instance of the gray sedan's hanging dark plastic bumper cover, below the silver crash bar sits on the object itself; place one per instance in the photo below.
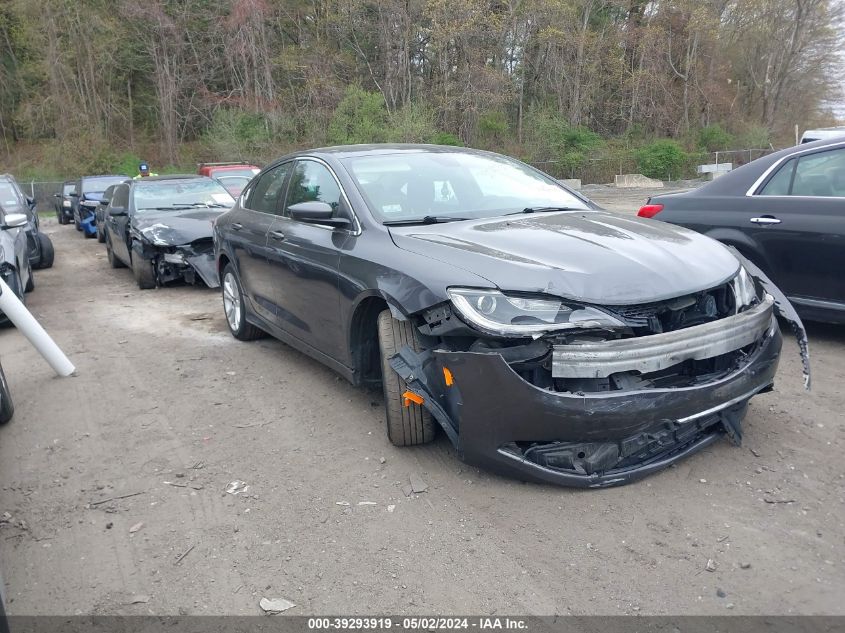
(489, 410)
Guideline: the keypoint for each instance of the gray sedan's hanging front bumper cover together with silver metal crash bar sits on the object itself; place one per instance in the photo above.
(500, 421)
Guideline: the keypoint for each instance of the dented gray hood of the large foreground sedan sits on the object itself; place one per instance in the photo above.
(590, 256)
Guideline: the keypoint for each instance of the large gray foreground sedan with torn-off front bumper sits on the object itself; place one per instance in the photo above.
(548, 339)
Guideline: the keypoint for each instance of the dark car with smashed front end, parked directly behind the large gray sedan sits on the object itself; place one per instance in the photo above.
(161, 227)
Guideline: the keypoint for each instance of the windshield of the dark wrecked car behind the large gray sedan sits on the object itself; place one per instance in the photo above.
(180, 194)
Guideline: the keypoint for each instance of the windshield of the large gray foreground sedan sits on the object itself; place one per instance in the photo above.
(406, 187)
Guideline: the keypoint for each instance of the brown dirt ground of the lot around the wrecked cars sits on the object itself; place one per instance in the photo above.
(169, 408)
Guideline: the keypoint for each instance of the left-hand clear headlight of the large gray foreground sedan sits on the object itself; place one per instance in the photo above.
(494, 312)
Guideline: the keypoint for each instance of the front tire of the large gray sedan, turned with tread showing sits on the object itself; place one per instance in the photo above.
(411, 425)
